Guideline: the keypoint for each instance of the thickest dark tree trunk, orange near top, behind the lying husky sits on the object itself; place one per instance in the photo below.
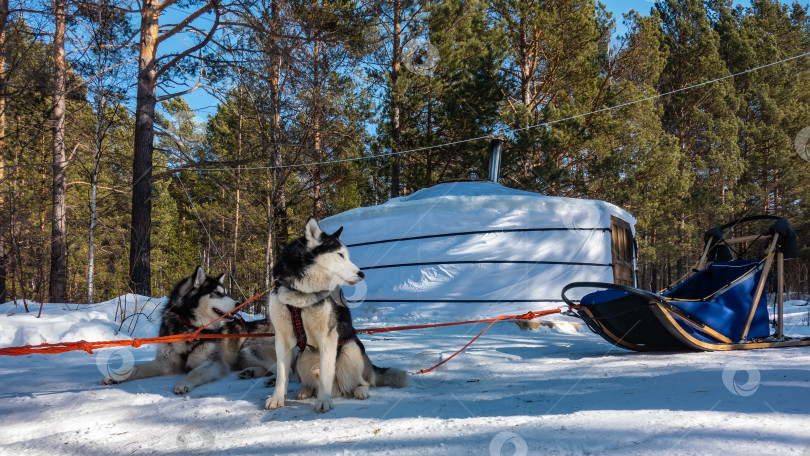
(140, 242)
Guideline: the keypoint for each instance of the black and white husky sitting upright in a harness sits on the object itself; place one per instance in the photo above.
(307, 310)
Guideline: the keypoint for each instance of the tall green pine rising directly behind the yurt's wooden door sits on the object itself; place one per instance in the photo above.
(648, 183)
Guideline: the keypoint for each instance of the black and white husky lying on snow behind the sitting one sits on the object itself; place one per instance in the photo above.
(195, 302)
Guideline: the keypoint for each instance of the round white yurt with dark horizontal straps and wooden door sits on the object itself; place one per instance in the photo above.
(477, 249)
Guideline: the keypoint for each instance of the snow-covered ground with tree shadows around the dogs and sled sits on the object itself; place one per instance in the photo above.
(559, 390)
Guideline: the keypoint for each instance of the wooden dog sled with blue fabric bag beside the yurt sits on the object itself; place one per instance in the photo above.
(722, 306)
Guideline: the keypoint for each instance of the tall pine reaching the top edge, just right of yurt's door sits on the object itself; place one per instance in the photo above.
(702, 119)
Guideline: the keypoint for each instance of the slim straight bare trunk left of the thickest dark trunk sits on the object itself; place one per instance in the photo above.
(58, 274)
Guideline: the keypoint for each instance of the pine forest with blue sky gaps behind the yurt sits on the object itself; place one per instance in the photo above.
(110, 183)
